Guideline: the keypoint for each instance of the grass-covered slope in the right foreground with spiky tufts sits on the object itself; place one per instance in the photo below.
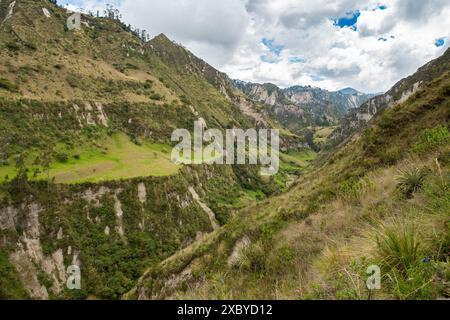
(381, 199)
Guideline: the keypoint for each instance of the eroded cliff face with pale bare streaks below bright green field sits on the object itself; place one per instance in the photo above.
(42, 253)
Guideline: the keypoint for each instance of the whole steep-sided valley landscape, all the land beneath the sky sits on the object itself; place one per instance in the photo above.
(87, 179)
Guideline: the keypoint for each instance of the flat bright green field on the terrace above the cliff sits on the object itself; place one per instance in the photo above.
(122, 159)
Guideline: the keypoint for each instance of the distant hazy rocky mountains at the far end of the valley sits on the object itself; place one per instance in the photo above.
(299, 108)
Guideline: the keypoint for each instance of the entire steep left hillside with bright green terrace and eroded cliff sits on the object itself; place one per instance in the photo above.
(86, 118)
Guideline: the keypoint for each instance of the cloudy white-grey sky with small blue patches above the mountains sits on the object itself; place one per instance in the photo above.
(365, 44)
